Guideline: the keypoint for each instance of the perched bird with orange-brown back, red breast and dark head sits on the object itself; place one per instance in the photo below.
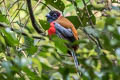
(63, 28)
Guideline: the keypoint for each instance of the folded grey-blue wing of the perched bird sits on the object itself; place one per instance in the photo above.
(63, 32)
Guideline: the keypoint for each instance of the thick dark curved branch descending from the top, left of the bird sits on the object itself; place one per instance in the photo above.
(34, 23)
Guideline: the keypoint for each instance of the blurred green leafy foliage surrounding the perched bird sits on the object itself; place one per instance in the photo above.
(27, 55)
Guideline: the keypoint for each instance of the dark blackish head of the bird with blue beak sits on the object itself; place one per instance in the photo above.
(52, 16)
